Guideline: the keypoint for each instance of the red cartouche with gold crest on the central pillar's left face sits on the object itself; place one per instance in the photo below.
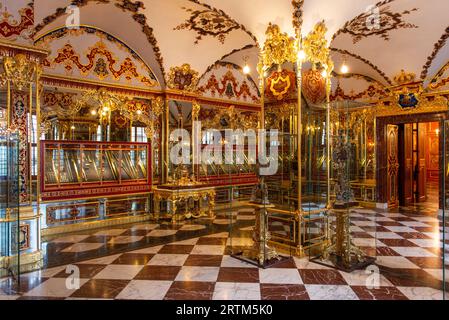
(280, 85)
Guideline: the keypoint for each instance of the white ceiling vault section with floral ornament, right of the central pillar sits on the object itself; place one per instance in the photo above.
(403, 38)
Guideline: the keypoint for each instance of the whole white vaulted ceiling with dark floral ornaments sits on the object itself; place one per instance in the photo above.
(409, 34)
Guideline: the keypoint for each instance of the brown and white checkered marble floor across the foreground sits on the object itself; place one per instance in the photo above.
(408, 250)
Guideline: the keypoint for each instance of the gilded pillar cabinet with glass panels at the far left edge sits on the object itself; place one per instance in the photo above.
(19, 212)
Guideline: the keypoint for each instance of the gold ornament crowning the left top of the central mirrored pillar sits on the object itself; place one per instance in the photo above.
(278, 47)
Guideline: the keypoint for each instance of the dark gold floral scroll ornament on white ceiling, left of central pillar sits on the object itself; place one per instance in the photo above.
(208, 23)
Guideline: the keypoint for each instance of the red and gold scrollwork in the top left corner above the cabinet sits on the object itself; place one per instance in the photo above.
(11, 29)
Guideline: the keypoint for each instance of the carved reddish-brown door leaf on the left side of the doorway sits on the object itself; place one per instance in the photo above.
(392, 165)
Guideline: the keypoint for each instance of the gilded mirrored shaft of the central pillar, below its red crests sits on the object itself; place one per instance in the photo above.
(299, 220)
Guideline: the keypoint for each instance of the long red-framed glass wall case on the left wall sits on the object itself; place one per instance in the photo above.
(72, 169)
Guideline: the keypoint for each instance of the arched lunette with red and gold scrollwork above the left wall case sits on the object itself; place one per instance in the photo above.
(91, 53)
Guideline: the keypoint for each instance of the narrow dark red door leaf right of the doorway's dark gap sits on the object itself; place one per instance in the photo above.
(408, 164)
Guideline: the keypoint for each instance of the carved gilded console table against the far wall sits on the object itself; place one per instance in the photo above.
(181, 194)
